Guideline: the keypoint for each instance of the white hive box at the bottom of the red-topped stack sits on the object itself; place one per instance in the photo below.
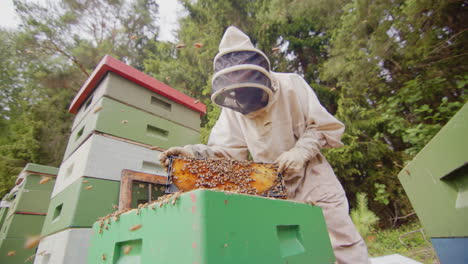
(65, 247)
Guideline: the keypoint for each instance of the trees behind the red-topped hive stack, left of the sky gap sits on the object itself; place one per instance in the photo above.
(59, 45)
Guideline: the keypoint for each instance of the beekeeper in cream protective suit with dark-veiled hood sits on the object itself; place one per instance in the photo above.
(278, 118)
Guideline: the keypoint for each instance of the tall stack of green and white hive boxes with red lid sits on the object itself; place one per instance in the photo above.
(123, 119)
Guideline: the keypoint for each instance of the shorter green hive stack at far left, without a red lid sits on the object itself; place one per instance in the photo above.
(28, 203)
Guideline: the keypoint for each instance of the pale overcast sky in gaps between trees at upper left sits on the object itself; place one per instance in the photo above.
(169, 11)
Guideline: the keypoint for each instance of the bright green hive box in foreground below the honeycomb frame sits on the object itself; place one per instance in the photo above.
(205, 226)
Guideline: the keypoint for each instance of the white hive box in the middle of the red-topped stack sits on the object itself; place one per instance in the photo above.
(103, 157)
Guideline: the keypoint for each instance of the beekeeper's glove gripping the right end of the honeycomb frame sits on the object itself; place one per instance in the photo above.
(293, 160)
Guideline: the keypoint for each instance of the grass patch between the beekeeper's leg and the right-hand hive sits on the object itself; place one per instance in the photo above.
(408, 240)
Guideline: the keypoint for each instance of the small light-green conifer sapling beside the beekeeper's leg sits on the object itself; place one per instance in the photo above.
(363, 218)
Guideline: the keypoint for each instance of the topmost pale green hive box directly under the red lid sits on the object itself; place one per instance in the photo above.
(128, 92)
